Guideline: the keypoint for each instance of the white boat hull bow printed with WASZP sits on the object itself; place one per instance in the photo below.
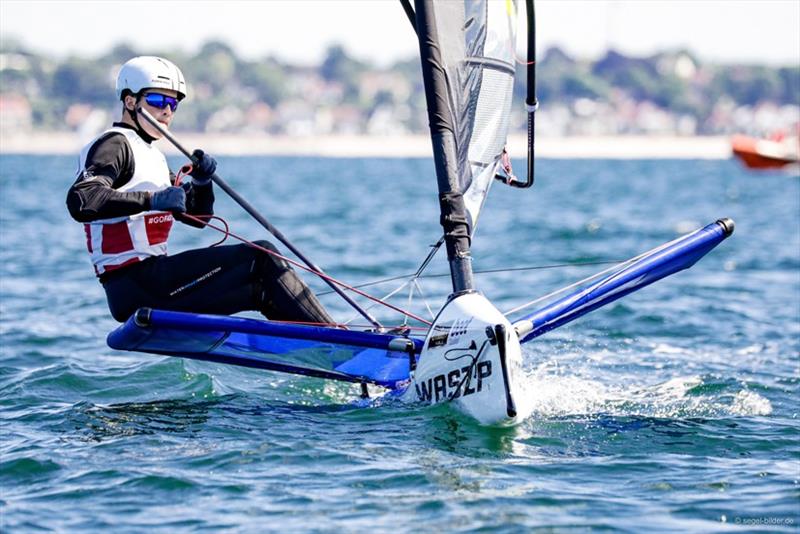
(471, 359)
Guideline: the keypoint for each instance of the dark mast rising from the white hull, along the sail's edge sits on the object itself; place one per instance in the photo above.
(451, 201)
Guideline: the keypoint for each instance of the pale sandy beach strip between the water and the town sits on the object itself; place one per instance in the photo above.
(409, 146)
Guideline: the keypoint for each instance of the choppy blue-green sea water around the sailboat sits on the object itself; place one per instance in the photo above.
(675, 409)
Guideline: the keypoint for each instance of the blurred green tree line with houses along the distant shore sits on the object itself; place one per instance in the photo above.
(676, 81)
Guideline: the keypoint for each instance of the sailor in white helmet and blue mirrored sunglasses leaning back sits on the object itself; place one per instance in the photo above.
(127, 199)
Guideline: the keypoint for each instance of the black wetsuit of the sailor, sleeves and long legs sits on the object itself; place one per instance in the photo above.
(218, 280)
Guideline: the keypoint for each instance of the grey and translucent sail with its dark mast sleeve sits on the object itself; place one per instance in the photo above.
(467, 55)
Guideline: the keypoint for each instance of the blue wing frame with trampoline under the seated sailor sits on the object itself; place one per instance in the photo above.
(322, 352)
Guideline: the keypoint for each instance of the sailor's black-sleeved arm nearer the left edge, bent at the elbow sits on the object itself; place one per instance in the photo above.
(93, 197)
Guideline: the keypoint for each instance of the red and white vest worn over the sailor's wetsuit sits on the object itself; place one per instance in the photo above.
(121, 241)
